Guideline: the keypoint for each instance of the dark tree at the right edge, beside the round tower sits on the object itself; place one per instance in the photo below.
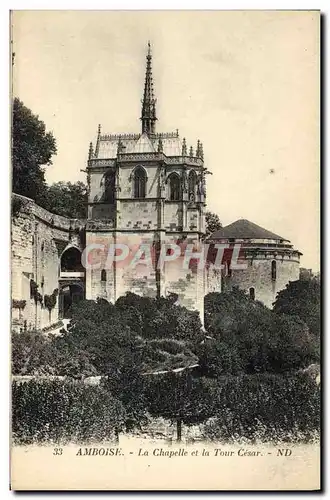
(302, 298)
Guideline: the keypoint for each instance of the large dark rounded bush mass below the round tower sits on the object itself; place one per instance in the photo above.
(245, 336)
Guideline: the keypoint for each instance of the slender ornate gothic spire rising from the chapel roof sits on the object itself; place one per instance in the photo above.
(148, 114)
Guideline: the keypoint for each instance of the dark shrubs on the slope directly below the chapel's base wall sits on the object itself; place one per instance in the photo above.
(129, 333)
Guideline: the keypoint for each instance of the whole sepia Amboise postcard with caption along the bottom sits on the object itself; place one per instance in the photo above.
(165, 250)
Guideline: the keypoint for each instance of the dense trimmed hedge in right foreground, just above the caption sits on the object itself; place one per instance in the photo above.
(265, 407)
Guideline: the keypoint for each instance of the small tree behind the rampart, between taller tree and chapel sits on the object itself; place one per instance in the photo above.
(67, 199)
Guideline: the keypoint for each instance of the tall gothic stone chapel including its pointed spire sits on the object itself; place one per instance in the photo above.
(145, 188)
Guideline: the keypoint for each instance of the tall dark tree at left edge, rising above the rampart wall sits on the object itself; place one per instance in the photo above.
(32, 150)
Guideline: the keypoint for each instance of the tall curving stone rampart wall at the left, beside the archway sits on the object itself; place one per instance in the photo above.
(38, 239)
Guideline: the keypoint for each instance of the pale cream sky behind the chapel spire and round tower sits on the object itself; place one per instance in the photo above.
(245, 83)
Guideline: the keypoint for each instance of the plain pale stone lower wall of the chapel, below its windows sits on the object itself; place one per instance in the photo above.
(145, 280)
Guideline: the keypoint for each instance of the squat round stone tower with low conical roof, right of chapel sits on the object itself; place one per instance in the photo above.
(266, 261)
